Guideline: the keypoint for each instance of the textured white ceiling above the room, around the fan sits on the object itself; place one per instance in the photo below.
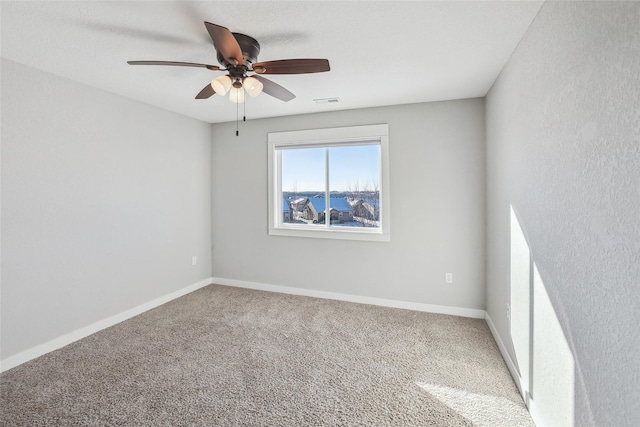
(381, 53)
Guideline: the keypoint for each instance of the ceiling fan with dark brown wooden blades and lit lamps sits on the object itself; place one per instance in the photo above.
(238, 53)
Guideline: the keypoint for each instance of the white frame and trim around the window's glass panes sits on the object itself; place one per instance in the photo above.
(353, 135)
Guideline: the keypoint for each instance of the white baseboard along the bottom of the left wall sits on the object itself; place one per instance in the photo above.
(78, 334)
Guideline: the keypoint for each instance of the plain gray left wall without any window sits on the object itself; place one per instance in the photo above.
(104, 201)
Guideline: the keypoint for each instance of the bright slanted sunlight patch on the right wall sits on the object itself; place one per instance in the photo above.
(543, 357)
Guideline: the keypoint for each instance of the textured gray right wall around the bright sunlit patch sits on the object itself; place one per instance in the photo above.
(563, 147)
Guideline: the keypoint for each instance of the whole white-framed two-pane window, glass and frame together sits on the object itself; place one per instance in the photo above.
(330, 183)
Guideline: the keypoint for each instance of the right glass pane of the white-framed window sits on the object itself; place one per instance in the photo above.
(354, 185)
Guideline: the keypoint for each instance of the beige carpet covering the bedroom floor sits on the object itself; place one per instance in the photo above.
(229, 356)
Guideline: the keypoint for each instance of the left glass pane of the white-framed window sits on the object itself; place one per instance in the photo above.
(303, 185)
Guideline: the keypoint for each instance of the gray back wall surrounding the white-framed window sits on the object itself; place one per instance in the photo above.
(437, 209)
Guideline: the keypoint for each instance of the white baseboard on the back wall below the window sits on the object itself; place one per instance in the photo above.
(429, 308)
